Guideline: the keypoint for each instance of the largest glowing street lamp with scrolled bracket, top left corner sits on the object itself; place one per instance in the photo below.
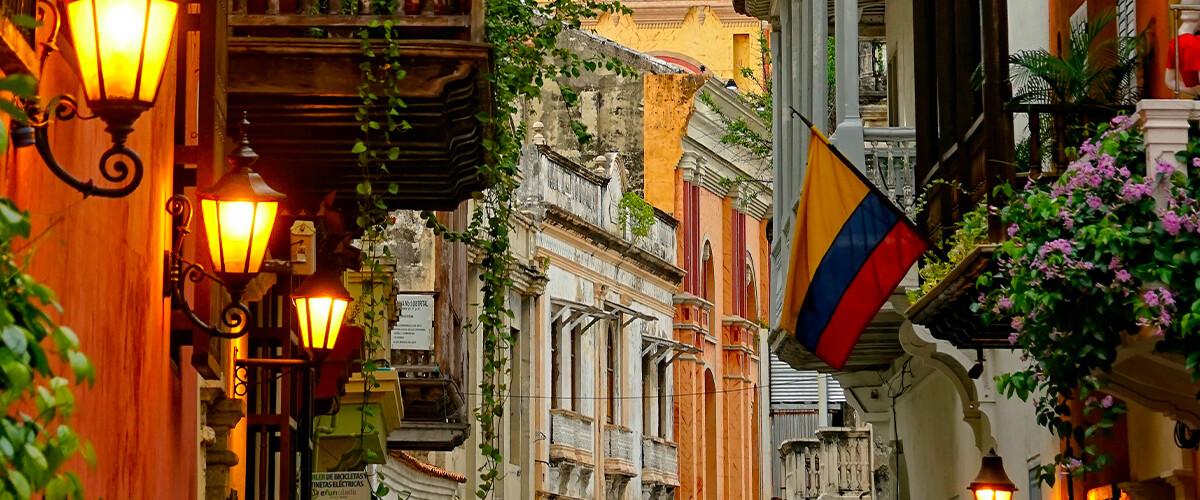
(122, 52)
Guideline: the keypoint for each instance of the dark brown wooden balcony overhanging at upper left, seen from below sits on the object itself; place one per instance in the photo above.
(295, 69)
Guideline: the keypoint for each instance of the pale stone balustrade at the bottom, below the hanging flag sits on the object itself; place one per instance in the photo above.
(837, 463)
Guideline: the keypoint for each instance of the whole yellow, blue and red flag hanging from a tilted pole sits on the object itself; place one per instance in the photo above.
(850, 251)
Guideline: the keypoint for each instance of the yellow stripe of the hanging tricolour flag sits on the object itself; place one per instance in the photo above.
(830, 196)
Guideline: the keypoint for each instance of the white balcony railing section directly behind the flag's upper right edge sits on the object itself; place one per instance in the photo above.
(891, 161)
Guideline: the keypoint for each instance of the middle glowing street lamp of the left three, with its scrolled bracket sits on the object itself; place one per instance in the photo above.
(239, 213)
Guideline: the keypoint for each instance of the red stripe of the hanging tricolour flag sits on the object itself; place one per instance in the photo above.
(871, 290)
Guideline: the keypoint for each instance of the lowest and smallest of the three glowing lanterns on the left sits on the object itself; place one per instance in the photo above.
(321, 304)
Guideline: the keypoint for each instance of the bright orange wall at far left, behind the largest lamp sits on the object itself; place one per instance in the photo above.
(105, 261)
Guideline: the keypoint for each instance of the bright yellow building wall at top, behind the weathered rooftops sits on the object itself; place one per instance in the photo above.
(713, 37)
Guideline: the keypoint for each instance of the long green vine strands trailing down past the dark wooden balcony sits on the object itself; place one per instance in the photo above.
(524, 38)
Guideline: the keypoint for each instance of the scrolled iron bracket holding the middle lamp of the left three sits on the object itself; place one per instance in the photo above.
(236, 317)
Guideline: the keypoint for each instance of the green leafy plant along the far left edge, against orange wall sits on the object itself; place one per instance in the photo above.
(35, 435)
